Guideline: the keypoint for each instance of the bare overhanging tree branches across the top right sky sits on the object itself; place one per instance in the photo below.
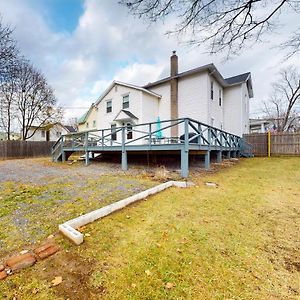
(221, 24)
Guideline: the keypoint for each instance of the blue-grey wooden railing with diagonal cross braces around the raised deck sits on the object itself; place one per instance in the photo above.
(191, 132)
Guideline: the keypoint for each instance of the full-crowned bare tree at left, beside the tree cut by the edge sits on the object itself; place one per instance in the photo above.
(36, 102)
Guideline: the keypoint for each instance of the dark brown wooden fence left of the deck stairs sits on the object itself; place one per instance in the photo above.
(24, 149)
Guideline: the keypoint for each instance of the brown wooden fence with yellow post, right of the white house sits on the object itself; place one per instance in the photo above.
(281, 143)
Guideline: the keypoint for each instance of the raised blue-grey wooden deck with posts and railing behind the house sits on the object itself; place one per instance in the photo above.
(195, 137)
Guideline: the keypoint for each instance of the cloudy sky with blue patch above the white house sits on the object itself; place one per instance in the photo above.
(83, 45)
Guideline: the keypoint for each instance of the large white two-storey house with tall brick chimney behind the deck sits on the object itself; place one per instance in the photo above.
(201, 94)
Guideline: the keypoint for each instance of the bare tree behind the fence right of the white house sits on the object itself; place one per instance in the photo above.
(280, 108)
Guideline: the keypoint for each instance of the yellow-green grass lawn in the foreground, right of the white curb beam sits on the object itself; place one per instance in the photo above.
(237, 241)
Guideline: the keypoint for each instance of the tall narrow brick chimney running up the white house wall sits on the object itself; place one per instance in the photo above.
(174, 91)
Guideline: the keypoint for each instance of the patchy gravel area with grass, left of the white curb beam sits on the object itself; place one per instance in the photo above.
(36, 195)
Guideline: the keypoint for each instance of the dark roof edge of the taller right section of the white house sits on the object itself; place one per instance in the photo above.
(211, 68)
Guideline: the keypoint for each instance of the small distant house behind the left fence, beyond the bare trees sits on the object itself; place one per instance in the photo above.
(49, 133)
